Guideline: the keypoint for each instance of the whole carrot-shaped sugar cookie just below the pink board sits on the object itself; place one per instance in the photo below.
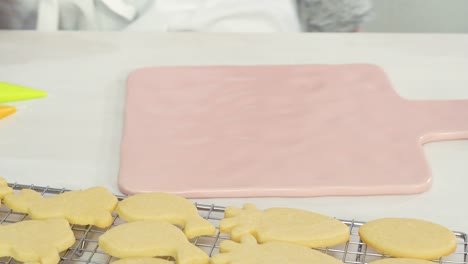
(284, 224)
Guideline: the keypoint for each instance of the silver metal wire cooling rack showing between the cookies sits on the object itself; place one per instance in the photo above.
(86, 249)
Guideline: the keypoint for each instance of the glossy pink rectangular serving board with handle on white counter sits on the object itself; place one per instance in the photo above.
(297, 130)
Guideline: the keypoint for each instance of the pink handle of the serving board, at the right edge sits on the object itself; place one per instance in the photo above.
(443, 120)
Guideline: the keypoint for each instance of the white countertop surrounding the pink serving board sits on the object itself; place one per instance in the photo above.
(71, 139)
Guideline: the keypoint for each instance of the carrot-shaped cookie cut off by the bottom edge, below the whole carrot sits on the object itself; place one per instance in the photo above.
(249, 252)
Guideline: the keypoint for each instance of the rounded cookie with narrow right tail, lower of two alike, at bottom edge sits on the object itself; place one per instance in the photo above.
(151, 238)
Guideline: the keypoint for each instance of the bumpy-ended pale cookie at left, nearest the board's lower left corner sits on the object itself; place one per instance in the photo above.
(93, 206)
